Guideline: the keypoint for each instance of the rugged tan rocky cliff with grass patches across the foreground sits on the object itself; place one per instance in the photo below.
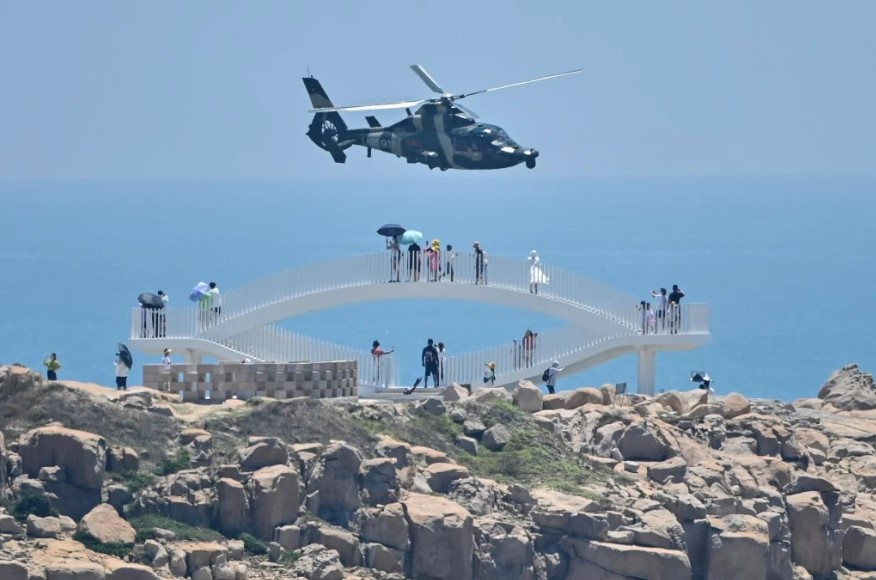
(505, 483)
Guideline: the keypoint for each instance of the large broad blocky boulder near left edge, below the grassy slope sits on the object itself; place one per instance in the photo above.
(82, 455)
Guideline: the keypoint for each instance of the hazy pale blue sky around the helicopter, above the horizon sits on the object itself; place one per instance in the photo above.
(212, 90)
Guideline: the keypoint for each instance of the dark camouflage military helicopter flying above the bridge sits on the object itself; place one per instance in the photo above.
(441, 133)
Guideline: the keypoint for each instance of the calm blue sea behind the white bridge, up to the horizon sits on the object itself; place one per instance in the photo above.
(787, 265)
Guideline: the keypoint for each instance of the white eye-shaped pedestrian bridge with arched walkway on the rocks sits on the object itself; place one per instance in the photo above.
(603, 322)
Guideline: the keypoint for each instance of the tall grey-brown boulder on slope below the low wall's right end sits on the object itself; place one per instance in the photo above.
(336, 478)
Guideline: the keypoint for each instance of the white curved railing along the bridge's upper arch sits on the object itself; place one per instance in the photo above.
(553, 282)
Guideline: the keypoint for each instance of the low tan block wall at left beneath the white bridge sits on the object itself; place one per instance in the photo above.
(217, 382)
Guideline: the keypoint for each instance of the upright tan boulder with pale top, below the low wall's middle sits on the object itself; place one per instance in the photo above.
(273, 496)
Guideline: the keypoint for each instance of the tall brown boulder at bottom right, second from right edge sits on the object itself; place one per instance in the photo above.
(813, 544)
